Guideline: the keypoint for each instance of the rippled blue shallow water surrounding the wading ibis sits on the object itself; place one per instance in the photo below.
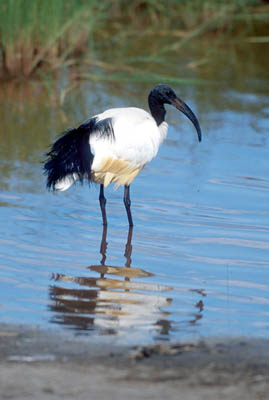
(195, 263)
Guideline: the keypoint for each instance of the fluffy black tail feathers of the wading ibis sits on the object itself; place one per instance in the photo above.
(70, 156)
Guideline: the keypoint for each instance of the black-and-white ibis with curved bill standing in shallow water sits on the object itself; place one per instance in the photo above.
(114, 146)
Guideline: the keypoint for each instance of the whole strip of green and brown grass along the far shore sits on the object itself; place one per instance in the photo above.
(45, 35)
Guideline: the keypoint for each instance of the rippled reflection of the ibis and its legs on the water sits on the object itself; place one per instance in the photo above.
(112, 305)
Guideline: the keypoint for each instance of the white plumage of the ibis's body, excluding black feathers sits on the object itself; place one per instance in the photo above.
(136, 142)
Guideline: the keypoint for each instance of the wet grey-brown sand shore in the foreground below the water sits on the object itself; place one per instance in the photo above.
(51, 365)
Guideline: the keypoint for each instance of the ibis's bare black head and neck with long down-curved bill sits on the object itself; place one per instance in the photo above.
(163, 94)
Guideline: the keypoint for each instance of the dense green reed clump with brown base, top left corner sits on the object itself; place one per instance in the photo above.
(38, 33)
